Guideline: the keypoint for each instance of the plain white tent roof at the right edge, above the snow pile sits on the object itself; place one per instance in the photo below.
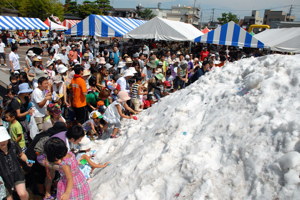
(283, 39)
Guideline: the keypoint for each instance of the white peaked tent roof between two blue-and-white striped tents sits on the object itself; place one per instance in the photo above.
(163, 29)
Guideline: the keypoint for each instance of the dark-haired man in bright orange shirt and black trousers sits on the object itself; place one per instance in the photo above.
(79, 92)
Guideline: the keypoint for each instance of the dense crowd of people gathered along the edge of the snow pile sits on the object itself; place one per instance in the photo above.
(54, 109)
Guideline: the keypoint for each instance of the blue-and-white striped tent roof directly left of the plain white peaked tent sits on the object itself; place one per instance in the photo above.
(104, 26)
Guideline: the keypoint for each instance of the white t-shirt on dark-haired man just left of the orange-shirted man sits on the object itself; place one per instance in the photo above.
(38, 96)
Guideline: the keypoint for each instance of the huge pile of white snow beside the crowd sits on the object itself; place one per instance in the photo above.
(234, 134)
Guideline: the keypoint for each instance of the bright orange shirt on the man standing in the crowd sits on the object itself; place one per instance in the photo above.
(78, 87)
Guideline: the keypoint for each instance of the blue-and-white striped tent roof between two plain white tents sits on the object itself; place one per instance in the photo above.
(232, 35)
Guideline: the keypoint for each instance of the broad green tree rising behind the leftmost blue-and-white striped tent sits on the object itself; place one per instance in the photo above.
(41, 8)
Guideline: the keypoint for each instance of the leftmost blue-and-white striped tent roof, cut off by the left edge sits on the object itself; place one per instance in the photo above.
(21, 23)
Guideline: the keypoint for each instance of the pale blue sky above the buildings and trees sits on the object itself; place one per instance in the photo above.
(239, 7)
